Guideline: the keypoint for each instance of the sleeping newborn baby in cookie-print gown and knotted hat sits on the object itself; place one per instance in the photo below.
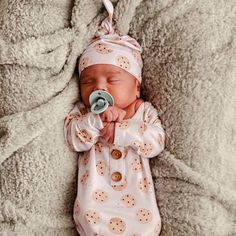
(115, 195)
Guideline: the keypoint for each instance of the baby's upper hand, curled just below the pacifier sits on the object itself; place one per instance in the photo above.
(113, 113)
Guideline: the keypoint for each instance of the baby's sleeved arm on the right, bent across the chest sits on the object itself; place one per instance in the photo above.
(147, 138)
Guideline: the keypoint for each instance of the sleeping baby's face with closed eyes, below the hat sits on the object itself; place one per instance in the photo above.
(124, 87)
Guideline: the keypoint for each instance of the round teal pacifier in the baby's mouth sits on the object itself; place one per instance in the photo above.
(100, 100)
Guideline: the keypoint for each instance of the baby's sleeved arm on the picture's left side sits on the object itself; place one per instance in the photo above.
(81, 130)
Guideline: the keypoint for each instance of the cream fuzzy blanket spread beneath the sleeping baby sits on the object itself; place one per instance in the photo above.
(189, 52)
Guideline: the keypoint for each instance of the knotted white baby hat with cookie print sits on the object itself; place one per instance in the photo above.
(111, 48)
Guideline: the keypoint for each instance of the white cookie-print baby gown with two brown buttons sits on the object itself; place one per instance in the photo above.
(115, 189)
